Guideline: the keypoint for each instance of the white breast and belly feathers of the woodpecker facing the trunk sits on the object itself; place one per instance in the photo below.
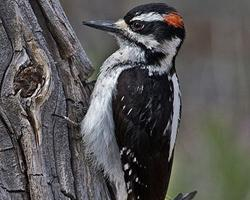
(97, 126)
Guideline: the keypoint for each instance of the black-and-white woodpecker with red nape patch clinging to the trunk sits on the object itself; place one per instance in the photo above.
(131, 125)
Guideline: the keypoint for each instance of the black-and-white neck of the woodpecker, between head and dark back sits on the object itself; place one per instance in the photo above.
(159, 59)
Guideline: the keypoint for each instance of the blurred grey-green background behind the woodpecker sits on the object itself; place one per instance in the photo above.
(213, 147)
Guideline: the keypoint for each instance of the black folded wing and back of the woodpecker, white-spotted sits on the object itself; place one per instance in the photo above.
(143, 108)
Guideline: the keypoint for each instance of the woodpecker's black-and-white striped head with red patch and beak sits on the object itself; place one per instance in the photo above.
(156, 28)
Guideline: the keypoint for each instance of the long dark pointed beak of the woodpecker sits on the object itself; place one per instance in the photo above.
(103, 25)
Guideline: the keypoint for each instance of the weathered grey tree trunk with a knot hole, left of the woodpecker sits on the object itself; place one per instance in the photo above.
(43, 71)
